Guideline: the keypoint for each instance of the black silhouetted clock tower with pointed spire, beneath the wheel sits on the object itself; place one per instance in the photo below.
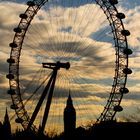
(69, 118)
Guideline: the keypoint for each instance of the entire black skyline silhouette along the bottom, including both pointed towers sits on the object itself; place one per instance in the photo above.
(110, 130)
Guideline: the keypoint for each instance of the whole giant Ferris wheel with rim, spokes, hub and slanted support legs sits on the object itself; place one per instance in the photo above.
(63, 47)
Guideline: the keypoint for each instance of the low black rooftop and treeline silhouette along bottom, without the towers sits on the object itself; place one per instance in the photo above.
(102, 131)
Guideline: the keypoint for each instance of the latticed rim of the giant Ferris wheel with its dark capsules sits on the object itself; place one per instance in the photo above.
(122, 52)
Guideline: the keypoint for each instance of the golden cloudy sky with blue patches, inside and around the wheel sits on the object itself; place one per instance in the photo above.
(81, 36)
